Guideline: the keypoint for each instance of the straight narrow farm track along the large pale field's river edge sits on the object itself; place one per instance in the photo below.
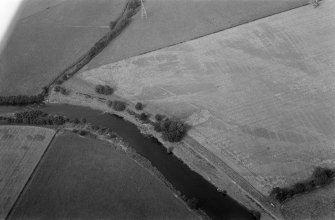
(258, 197)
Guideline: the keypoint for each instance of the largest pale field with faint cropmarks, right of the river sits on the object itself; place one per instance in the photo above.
(259, 97)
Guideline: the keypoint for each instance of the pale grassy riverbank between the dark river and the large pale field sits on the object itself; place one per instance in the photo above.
(183, 150)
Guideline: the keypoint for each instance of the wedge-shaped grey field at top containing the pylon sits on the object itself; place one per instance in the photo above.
(175, 21)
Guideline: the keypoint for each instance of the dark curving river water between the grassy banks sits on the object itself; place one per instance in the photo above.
(215, 204)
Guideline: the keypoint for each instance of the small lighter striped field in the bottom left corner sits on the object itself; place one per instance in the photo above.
(21, 148)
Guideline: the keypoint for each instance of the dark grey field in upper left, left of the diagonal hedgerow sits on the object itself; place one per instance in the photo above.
(45, 42)
